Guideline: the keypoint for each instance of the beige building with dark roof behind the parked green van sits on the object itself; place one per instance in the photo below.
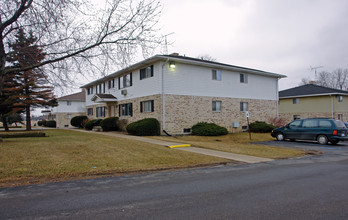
(313, 101)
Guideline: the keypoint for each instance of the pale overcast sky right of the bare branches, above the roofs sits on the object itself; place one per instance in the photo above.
(280, 36)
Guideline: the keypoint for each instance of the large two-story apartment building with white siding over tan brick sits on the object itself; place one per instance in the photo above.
(180, 91)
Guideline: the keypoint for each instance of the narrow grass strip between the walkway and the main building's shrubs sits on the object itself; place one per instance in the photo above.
(238, 143)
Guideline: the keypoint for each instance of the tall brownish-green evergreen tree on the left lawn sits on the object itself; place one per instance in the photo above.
(33, 86)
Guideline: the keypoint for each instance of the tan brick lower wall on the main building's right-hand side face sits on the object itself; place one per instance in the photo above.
(184, 111)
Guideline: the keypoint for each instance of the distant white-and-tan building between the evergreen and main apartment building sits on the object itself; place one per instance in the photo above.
(68, 106)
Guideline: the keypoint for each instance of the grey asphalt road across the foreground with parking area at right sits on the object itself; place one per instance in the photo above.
(312, 187)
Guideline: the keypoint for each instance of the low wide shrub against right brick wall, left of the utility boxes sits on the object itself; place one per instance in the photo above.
(208, 129)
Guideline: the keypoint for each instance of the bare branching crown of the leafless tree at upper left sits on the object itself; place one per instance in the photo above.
(79, 37)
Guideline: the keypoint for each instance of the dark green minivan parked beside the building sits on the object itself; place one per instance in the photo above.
(323, 130)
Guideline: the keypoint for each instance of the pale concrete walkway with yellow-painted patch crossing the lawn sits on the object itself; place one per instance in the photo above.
(214, 153)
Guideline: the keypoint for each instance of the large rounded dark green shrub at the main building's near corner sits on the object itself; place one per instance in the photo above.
(144, 127)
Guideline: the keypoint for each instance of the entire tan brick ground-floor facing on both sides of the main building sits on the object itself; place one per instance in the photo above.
(182, 112)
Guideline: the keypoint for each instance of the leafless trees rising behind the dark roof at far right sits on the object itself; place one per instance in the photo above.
(337, 79)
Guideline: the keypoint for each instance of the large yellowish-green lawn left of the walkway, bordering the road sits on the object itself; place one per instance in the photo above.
(67, 154)
